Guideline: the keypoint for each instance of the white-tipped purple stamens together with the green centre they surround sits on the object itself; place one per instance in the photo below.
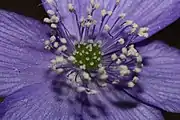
(88, 60)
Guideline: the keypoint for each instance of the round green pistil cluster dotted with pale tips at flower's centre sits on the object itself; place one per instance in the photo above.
(87, 55)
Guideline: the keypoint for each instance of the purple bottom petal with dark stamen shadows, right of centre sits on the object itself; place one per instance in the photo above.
(112, 104)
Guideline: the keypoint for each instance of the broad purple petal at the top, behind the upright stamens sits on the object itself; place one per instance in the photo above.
(154, 14)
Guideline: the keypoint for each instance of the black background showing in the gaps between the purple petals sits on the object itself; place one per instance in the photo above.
(33, 8)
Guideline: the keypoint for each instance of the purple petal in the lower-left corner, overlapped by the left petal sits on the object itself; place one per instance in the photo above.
(35, 102)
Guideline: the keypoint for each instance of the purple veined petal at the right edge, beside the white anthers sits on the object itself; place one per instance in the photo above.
(160, 78)
